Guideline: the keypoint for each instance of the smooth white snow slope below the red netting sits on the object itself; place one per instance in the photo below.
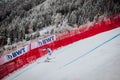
(94, 58)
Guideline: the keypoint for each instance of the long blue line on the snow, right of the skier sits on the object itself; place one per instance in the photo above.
(91, 50)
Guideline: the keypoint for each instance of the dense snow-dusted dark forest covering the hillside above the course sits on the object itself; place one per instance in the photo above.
(20, 17)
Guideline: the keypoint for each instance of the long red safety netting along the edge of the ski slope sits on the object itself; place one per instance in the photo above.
(62, 40)
